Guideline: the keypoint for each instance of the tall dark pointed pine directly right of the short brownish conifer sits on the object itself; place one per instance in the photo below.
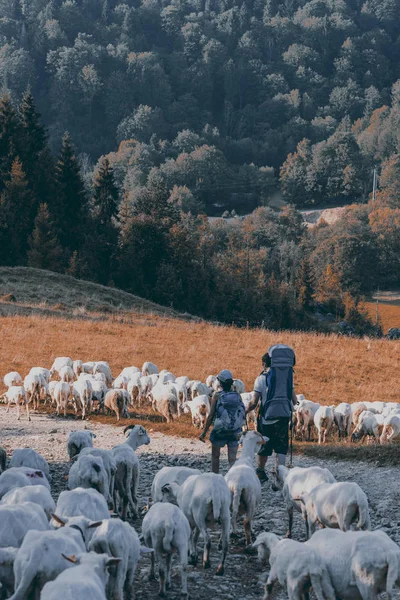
(70, 211)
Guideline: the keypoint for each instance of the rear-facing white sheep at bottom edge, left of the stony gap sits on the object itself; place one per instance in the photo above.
(116, 538)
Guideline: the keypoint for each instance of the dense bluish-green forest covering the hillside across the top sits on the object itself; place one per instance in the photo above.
(222, 98)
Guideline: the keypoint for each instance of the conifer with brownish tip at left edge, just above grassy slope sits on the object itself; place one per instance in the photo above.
(15, 208)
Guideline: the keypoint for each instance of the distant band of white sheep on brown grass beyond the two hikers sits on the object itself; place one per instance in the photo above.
(90, 387)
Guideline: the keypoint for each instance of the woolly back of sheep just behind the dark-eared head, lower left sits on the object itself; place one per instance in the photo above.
(85, 502)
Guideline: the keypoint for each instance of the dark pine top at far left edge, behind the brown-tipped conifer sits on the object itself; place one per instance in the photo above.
(9, 137)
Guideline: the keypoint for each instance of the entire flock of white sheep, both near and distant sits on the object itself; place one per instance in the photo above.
(86, 529)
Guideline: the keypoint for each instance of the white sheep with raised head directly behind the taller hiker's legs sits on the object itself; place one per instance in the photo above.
(243, 483)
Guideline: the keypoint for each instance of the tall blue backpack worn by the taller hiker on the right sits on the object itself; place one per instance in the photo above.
(278, 403)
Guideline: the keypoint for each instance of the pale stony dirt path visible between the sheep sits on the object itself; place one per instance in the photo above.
(243, 579)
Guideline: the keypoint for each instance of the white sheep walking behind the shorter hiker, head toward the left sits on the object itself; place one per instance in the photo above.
(204, 500)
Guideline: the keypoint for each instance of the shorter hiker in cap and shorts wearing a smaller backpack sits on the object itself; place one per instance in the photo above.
(228, 415)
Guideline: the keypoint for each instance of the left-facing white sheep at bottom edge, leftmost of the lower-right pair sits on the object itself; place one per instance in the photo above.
(295, 567)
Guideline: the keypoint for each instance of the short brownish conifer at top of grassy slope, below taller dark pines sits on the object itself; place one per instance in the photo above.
(45, 251)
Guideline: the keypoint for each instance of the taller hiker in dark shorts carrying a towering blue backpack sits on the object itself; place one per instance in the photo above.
(274, 393)
